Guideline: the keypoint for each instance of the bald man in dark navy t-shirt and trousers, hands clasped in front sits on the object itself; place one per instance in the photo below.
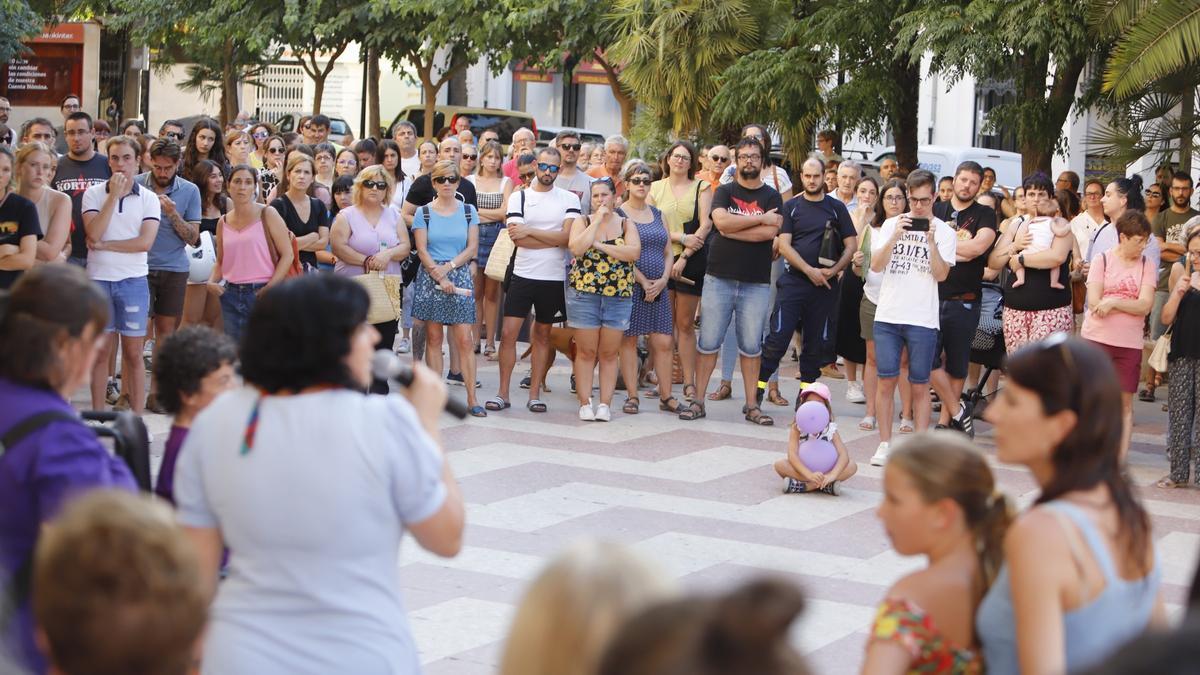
(808, 292)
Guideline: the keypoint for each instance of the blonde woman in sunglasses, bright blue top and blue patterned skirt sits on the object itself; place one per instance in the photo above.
(447, 236)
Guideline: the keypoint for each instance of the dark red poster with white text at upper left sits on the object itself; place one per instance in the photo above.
(51, 69)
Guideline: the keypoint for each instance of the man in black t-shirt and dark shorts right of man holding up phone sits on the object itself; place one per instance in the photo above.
(962, 294)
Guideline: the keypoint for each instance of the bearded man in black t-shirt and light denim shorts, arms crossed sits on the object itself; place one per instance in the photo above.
(737, 288)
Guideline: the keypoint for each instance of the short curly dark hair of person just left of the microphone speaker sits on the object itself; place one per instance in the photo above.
(185, 359)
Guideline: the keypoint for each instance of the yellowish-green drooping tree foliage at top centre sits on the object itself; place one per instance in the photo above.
(673, 53)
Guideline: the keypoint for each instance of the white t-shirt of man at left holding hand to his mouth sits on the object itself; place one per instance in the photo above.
(139, 206)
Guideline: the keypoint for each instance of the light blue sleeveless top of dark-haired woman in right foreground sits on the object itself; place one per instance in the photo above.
(1091, 632)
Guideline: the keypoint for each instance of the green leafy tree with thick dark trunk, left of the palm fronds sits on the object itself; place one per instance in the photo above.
(1041, 45)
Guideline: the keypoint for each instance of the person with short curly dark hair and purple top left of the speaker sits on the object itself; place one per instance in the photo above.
(195, 366)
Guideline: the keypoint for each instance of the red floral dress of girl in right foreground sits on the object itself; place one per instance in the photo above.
(903, 623)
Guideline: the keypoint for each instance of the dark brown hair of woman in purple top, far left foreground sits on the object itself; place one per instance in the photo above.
(47, 306)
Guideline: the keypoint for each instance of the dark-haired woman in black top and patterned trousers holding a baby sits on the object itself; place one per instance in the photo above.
(1035, 309)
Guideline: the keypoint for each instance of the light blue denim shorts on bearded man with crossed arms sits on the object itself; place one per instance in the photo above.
(747, 306)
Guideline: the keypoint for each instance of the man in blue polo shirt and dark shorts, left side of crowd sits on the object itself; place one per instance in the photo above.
(181, 205)
